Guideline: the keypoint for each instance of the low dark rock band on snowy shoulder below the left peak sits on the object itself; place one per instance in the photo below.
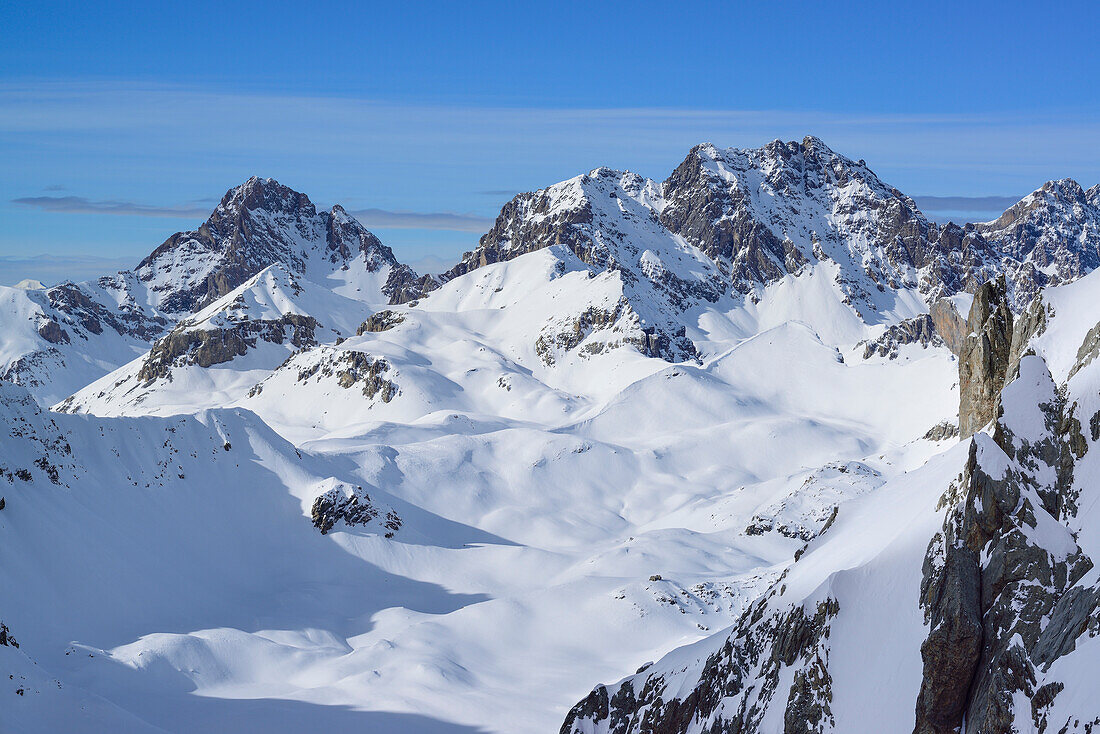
(216, 346)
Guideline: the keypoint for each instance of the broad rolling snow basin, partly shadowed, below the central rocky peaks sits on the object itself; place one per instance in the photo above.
(574, 485)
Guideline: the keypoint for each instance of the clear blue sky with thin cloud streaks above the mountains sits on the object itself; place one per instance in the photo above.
(124, 123)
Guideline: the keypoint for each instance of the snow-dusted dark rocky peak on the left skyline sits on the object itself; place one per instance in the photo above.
(257, 225)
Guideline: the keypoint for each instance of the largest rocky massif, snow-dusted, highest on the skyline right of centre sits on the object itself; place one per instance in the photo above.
(755, 216)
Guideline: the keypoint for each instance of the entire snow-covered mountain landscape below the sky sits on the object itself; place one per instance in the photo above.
(811, 461)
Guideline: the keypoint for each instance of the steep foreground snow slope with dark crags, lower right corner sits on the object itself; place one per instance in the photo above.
(1016, 505)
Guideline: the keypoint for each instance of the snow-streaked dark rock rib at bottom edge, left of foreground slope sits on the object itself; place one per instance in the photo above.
(735, 686)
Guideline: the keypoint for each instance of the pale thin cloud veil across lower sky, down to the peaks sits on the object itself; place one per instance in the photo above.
(416, 163)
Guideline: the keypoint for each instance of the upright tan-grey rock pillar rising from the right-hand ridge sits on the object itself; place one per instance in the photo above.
(985, 357)
